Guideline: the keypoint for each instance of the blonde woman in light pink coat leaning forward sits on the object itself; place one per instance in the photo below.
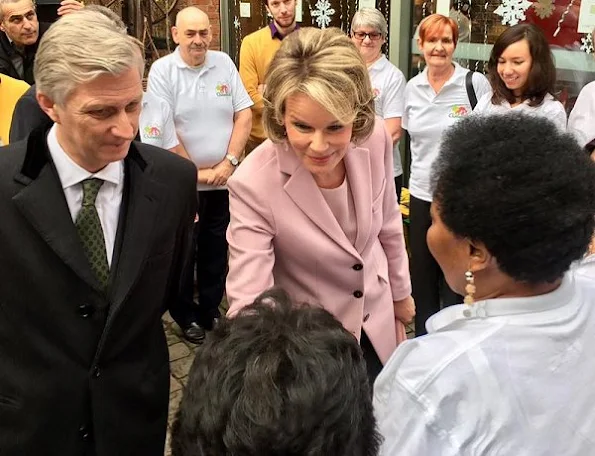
(314, 209)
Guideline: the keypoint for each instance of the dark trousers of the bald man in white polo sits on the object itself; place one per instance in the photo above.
(210, 255)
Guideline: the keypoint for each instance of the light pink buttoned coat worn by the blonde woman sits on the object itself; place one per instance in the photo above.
(283, 233)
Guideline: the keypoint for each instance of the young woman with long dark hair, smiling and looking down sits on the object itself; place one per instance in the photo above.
(522, 74)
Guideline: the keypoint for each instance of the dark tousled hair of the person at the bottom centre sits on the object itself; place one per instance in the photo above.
(277, 380)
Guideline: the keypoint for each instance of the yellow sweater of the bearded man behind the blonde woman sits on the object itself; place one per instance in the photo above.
(256, 52)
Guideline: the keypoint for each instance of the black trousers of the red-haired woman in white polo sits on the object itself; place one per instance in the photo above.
(430, 290)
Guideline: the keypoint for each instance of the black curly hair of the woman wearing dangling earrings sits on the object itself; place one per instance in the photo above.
(521, 187)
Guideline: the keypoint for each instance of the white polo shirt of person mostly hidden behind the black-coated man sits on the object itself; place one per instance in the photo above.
(156, 123)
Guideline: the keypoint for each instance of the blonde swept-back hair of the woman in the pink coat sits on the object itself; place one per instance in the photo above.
(326, 66)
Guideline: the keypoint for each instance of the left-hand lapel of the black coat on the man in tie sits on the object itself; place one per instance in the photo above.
(43, 204)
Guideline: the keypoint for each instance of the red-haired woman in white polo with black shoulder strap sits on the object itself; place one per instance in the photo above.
(434, 100)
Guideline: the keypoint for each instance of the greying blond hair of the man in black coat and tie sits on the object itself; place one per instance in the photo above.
(80, 47)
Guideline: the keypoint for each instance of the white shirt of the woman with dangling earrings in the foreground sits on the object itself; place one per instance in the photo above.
(510, 376)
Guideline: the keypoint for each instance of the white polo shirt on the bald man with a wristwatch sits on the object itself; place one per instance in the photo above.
(203, 100)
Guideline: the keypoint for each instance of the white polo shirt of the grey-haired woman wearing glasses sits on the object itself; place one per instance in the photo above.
(388, 84)
